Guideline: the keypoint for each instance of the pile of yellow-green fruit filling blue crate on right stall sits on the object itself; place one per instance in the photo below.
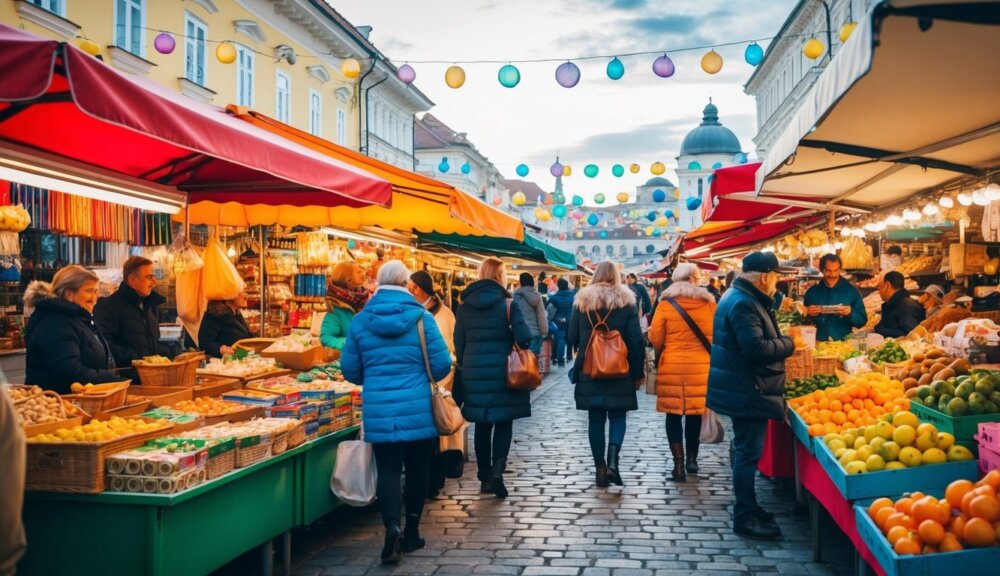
(893, 442)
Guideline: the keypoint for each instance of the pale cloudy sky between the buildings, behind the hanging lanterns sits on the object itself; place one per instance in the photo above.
(641, 118)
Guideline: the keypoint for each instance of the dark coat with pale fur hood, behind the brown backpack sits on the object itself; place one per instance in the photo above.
(618, 303)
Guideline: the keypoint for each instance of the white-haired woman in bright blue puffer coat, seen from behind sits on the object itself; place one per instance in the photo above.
(383, 353)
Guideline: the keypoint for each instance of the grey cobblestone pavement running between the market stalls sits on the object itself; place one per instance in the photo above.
(556, 522)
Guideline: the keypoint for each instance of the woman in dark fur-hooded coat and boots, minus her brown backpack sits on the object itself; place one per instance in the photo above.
(606, 298)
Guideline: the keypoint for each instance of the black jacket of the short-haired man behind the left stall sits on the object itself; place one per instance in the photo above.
(130, 324)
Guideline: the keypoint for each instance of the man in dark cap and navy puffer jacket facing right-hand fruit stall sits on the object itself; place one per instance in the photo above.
(746, 381)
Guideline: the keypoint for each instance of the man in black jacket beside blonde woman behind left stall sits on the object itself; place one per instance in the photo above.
(128, 317)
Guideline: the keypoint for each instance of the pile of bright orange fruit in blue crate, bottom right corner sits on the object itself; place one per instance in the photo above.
(967, 517)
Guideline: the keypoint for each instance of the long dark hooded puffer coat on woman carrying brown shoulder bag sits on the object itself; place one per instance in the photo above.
(483, 340)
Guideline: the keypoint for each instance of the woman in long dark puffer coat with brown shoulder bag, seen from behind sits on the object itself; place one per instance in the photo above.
(486, 328)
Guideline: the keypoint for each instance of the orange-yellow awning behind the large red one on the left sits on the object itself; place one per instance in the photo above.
(418, 202)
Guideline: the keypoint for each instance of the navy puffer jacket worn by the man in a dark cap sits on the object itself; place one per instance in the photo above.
(747, 376)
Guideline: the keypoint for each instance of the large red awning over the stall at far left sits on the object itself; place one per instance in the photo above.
(56, 99)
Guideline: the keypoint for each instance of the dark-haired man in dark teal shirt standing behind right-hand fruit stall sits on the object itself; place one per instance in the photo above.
(834, 324)
